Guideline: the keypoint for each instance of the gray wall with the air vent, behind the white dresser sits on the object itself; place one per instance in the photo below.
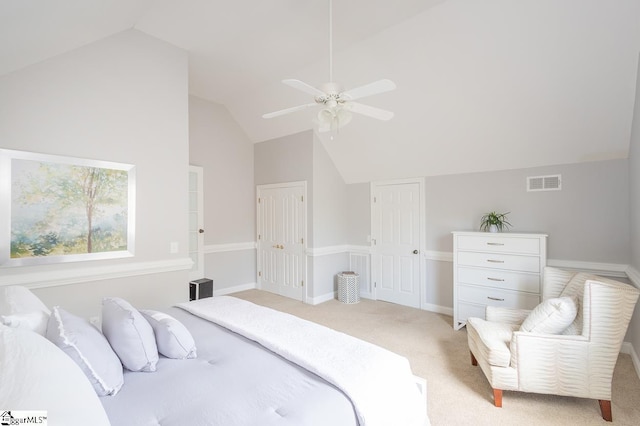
(586, 221)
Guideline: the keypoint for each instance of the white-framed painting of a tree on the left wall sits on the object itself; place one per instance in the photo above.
(62, 209)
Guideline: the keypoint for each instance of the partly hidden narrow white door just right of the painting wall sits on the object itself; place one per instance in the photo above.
(196, 222)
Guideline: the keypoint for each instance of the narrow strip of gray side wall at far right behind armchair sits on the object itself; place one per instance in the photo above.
(633, 333)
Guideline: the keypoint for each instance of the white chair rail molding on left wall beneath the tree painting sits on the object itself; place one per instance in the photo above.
(95, 273)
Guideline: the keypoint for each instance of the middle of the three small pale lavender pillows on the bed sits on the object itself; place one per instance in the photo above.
(129, 334)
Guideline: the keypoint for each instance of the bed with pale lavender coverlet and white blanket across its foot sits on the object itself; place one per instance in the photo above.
(254, 366)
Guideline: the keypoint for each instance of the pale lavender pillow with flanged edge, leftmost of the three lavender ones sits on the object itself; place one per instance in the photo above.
(88, 348)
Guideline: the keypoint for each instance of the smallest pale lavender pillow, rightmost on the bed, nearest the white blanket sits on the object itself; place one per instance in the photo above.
(172, 337)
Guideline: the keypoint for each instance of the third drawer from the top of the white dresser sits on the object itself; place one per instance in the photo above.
(507, 280)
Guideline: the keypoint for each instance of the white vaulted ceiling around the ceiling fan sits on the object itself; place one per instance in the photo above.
(487, 85)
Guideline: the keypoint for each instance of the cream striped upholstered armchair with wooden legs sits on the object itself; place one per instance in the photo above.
(576, 361)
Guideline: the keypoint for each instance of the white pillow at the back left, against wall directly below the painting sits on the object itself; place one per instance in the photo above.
(17, 300)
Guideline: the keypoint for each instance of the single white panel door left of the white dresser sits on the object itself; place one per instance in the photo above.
(397, 266)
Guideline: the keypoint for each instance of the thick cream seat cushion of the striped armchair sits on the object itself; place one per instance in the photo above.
(495, 338)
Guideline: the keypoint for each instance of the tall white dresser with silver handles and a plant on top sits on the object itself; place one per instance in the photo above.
(496, 269)
